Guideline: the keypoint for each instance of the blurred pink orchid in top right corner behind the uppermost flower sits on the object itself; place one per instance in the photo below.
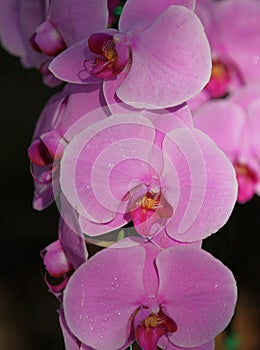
(234, 44)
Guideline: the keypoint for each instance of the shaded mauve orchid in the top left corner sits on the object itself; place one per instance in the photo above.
(38, 30)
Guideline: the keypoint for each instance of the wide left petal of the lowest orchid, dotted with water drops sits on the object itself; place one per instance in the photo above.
(102, 296)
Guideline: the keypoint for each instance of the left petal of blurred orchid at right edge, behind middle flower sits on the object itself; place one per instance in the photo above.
(224, 122)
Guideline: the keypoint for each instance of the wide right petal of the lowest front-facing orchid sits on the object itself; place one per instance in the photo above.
(197, 291)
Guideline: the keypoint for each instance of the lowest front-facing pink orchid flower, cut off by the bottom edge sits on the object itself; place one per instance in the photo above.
(138, 291)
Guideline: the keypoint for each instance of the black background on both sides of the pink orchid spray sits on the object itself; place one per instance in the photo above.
(28, 318)
